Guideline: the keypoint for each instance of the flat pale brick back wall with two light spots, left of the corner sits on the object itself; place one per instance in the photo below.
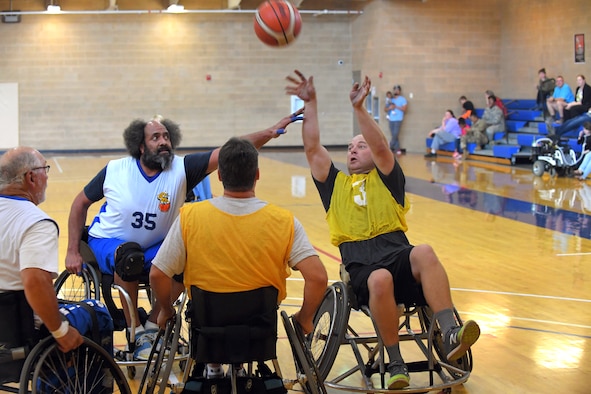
(82, 79)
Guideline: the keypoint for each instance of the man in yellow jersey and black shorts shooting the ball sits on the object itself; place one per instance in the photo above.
(366, 217)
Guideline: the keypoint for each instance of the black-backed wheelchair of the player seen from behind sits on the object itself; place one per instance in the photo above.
(233, 329)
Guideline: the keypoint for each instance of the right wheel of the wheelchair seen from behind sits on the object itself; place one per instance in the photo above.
(305, 366)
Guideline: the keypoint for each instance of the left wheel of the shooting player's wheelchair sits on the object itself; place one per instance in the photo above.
(330, 324)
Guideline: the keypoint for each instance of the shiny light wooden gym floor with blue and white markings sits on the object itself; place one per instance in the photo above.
(517, 250)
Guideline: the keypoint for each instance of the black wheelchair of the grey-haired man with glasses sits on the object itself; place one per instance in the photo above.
(31, 361)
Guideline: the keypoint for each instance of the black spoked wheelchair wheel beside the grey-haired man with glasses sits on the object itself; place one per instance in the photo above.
(86, 369)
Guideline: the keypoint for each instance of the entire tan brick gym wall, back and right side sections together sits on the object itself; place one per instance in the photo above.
(83, 78)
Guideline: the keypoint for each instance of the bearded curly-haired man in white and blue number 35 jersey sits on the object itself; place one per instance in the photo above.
(143, 194)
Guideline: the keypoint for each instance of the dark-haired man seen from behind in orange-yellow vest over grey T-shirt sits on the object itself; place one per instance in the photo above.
(213, 243)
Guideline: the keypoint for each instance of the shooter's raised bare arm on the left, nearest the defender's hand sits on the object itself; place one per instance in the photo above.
(316, 154)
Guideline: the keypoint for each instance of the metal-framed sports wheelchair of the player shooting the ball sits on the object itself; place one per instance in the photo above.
(332, 329)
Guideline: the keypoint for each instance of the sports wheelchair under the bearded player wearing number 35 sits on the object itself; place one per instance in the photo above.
(91, 283)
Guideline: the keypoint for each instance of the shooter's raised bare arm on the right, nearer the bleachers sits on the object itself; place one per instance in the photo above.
(377, 142)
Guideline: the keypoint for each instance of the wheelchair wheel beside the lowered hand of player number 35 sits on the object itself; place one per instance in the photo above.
(72, 287)
